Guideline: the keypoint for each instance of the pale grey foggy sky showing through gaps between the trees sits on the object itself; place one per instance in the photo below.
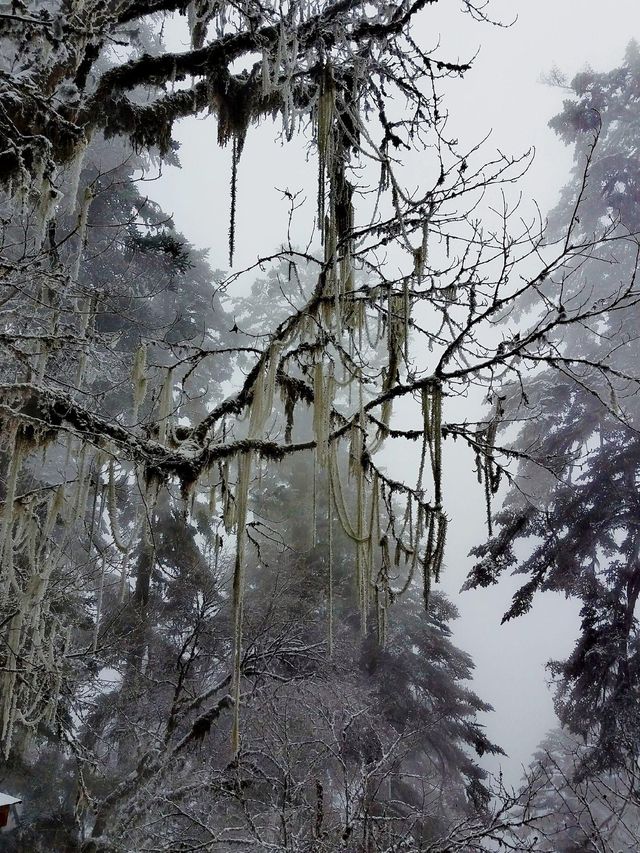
(502, 95)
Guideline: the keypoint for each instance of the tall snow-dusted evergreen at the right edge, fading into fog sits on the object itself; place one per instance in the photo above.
(577, 495)
